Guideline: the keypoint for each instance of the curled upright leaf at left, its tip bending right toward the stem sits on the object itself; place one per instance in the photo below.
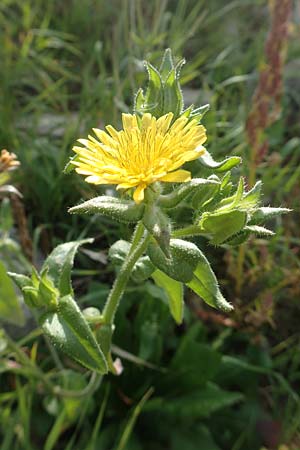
(59, 265)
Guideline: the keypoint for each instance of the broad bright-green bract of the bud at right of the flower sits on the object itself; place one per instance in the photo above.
(223, 225)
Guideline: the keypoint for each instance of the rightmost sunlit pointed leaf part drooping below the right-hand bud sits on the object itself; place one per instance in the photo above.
(205, 284)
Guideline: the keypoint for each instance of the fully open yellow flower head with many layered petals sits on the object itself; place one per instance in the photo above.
(140, 154)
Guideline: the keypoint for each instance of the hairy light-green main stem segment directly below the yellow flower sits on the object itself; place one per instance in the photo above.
(138, 246)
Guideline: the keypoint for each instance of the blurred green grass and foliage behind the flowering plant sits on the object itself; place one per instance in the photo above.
(215, 382)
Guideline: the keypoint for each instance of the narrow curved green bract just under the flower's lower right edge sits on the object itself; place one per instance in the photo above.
(184, 190)
